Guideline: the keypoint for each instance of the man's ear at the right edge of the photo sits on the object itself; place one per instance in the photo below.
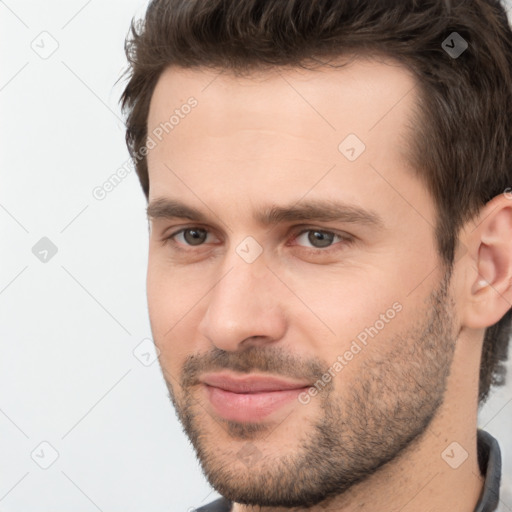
(488, 278)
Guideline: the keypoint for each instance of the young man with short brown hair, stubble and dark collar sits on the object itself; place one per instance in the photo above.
(330, 260)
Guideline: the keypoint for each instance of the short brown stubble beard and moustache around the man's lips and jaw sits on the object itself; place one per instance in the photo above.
(370, 423)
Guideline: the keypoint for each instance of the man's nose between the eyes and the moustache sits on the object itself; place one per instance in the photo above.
(244, 307)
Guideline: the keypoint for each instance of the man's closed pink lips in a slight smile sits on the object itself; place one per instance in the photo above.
(249, 398)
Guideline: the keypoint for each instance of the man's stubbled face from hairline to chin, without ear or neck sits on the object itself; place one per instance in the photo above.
(357, 303)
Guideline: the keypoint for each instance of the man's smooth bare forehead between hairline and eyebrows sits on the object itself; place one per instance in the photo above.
(278, 132)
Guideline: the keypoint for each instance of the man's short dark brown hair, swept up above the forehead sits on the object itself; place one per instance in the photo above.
(462, 148)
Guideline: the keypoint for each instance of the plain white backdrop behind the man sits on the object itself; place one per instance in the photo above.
(70, 327)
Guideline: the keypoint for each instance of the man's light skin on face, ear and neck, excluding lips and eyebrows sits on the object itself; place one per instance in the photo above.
(271, 139)
